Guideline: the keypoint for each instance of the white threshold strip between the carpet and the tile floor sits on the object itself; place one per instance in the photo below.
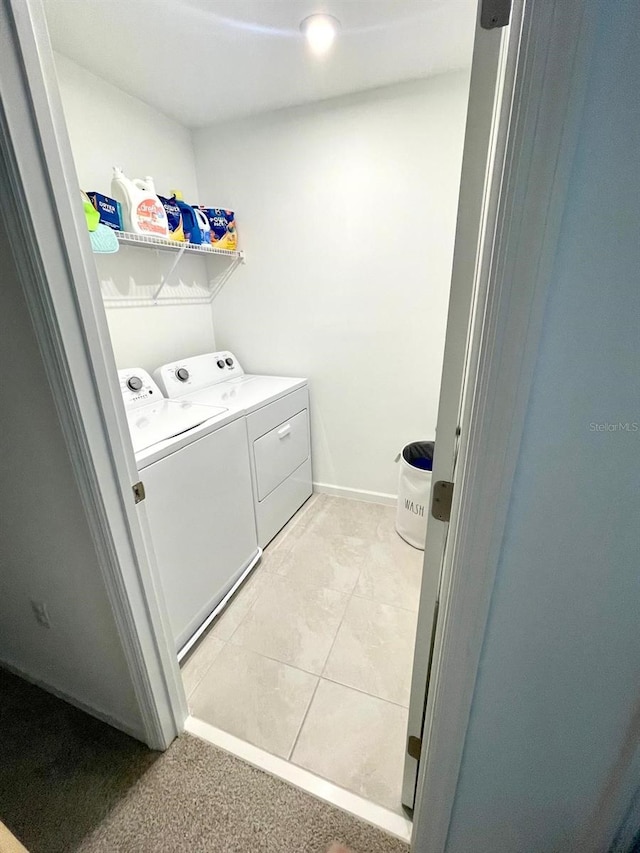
(378, 816)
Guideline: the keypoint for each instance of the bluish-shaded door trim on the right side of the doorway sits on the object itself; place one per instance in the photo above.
(550, 79)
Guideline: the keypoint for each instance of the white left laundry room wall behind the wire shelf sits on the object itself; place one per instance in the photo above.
(107, 127)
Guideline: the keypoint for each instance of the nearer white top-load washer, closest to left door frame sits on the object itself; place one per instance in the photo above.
(194, 464)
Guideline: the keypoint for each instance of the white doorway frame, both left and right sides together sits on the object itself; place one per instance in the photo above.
(71, 331)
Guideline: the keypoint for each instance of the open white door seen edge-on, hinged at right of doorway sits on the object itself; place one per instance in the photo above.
(494, 47)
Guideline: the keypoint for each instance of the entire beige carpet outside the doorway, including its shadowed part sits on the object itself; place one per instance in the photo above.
(70, 783)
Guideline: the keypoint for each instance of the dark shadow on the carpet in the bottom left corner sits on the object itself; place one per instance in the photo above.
(61, 771)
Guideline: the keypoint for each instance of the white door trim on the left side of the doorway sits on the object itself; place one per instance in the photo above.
(59, 278)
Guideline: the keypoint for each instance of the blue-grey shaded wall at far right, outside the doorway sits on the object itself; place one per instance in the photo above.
(555, 715)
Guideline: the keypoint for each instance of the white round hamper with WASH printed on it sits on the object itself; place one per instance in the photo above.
(414, 490)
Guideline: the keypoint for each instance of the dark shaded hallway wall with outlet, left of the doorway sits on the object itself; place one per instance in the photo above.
(46, 551)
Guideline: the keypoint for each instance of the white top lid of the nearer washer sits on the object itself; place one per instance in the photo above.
(165, 419)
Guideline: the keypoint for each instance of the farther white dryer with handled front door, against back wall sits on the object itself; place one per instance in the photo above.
(276, 409)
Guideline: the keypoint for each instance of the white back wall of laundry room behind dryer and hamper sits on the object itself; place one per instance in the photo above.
(346, 210)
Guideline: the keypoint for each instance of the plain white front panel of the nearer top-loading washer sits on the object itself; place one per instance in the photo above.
(200, 507)
